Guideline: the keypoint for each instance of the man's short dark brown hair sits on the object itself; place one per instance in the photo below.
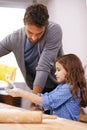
(36, 14)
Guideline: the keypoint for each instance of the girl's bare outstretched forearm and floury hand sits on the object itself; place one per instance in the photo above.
(16, 92)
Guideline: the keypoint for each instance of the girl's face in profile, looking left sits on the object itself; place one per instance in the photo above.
(60, 73)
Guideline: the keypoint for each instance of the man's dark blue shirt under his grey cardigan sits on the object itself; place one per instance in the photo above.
(31, 56)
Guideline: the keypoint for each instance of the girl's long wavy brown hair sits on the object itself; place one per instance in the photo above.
(75, 76)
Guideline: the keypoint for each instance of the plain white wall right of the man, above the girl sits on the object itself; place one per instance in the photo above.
(72, 16)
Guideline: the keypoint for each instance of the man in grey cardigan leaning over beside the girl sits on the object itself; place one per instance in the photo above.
(36, 47)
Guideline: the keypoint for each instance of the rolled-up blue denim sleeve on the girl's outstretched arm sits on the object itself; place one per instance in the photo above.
(56, 98)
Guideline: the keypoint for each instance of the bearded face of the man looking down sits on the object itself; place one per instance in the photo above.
(34, 33)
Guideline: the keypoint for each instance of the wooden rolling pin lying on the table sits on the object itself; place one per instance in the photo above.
(22, 116)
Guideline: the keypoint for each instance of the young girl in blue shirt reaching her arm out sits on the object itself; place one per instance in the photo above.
(64, 101)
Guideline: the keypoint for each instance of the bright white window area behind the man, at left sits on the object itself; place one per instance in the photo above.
(10, 20)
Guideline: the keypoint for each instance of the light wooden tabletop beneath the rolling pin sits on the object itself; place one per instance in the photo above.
(47, 124)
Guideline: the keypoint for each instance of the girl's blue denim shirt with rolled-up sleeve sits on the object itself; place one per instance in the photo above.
(61, 102)
